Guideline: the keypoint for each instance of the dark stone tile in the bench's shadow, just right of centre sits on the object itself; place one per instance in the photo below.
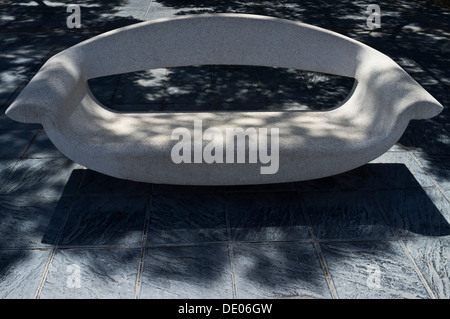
(265, 216)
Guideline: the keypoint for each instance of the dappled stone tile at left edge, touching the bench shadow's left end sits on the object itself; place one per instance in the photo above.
(43, 177)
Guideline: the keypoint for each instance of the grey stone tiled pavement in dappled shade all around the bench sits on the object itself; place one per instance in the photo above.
(379, 231)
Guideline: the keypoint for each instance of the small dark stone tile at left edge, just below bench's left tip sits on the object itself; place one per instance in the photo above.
(13, 144)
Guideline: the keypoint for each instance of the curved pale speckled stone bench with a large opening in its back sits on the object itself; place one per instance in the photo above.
(139, 146)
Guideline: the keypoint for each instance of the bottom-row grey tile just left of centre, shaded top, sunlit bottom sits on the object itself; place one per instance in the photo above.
(187, 272)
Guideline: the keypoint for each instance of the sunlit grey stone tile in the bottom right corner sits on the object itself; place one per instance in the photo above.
(431, 257)
